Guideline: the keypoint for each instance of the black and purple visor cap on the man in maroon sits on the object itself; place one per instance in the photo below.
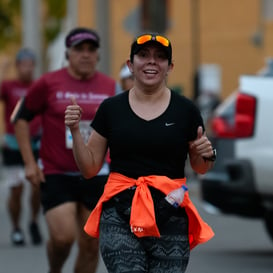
(81, 34)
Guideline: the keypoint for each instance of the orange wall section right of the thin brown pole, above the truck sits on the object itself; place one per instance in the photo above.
(226, 29)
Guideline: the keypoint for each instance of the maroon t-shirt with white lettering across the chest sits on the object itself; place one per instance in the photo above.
(49, 96)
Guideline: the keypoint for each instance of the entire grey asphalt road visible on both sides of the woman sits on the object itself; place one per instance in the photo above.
(239, 246)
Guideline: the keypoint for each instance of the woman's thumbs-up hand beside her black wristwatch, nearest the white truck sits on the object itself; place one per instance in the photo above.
(201, 146)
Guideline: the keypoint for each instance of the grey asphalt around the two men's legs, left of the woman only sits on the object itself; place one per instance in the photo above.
(27, 259)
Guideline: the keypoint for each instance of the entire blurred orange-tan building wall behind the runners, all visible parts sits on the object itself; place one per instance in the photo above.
(202, 31)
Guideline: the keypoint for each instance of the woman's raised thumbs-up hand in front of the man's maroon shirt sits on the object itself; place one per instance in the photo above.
(73, 114)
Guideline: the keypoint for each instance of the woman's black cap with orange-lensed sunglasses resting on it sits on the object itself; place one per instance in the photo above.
(143, 39)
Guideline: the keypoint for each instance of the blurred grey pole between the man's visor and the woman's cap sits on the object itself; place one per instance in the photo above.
(102, 26)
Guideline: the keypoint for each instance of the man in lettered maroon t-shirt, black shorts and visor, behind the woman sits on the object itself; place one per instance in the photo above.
(67, 198)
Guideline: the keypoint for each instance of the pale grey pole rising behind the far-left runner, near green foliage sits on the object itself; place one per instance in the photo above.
(32, 37)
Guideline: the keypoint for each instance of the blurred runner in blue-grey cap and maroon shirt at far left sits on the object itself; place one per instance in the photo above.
(10, 92)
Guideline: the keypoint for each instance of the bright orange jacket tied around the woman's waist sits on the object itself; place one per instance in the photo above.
(142, 220)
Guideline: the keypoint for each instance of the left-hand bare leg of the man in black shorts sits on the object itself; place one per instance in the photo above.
(62, 233)
